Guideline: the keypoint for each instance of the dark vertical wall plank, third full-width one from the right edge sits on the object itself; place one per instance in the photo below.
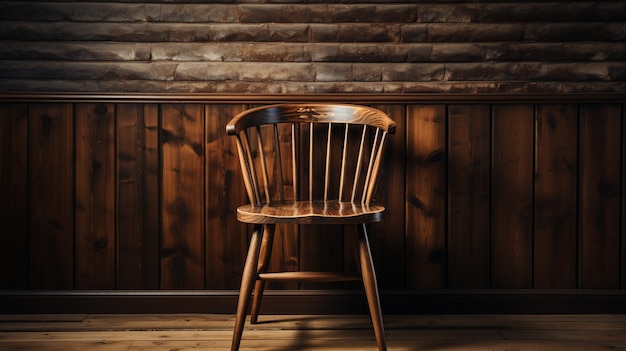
(512, 197)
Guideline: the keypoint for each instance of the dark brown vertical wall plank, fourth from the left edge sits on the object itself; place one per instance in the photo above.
(138, 196)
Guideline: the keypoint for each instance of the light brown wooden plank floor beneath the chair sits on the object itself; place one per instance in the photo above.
(313, 332)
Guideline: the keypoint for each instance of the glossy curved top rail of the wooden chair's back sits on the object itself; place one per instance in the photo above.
(314, 113)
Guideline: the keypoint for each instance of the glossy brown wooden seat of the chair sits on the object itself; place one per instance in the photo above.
(310, 212)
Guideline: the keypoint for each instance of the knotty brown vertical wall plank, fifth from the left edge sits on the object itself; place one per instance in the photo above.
(182, 242)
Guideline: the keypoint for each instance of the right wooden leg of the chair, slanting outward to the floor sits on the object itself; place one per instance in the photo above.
(371, 287)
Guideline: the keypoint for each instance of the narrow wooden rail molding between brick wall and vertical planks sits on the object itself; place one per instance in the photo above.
(290, 98)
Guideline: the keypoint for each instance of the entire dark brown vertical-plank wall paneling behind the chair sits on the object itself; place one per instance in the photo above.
(483, 195)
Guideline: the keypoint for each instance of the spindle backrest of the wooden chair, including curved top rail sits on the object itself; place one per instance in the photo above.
(329, 152)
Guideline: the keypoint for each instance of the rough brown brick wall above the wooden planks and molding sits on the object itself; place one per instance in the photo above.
(323, 47)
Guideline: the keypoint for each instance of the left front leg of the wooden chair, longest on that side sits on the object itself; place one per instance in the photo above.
(247, 280)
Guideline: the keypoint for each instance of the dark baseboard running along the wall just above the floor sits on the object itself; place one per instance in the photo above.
(317, 302)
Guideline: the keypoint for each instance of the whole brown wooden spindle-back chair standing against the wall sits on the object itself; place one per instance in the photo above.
(308, 164)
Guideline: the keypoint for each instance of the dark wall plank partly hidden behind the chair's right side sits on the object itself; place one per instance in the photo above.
(388, 236)
